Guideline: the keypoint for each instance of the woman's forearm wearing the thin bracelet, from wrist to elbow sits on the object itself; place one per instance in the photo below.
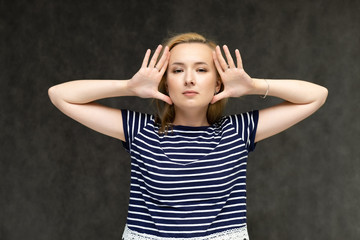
(294, 91)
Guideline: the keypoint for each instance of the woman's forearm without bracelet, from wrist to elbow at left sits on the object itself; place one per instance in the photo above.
(85, 91)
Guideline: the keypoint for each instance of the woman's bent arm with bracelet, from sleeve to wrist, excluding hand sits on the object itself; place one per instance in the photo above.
(301, 100)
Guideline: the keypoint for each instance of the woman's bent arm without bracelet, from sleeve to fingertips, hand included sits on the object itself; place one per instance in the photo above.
(76, 98)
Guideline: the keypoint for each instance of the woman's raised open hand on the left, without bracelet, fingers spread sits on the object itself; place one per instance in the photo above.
(146, 81)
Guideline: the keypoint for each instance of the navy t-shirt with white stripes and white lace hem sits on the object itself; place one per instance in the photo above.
(191, 182)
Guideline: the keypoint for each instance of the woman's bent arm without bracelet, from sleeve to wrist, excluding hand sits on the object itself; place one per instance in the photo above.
(75, 99)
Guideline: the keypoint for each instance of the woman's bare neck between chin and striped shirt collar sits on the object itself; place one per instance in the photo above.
(194, 118)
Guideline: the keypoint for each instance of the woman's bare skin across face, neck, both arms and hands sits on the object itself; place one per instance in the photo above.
(77, 98)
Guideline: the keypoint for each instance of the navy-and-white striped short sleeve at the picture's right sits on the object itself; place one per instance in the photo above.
(245, 125)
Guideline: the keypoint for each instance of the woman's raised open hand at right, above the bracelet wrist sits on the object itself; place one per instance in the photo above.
(236, 81)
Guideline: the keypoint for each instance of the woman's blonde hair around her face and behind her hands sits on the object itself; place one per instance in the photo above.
(165, 112)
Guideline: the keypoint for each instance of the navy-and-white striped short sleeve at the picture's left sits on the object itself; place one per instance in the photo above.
(133, 123)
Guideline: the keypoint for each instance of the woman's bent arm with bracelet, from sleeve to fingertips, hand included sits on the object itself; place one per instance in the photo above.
(301, 98)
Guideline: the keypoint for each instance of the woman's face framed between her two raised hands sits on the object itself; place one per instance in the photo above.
(191, 76)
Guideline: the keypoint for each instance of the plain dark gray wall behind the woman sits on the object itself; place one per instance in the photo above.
(59, 180)
